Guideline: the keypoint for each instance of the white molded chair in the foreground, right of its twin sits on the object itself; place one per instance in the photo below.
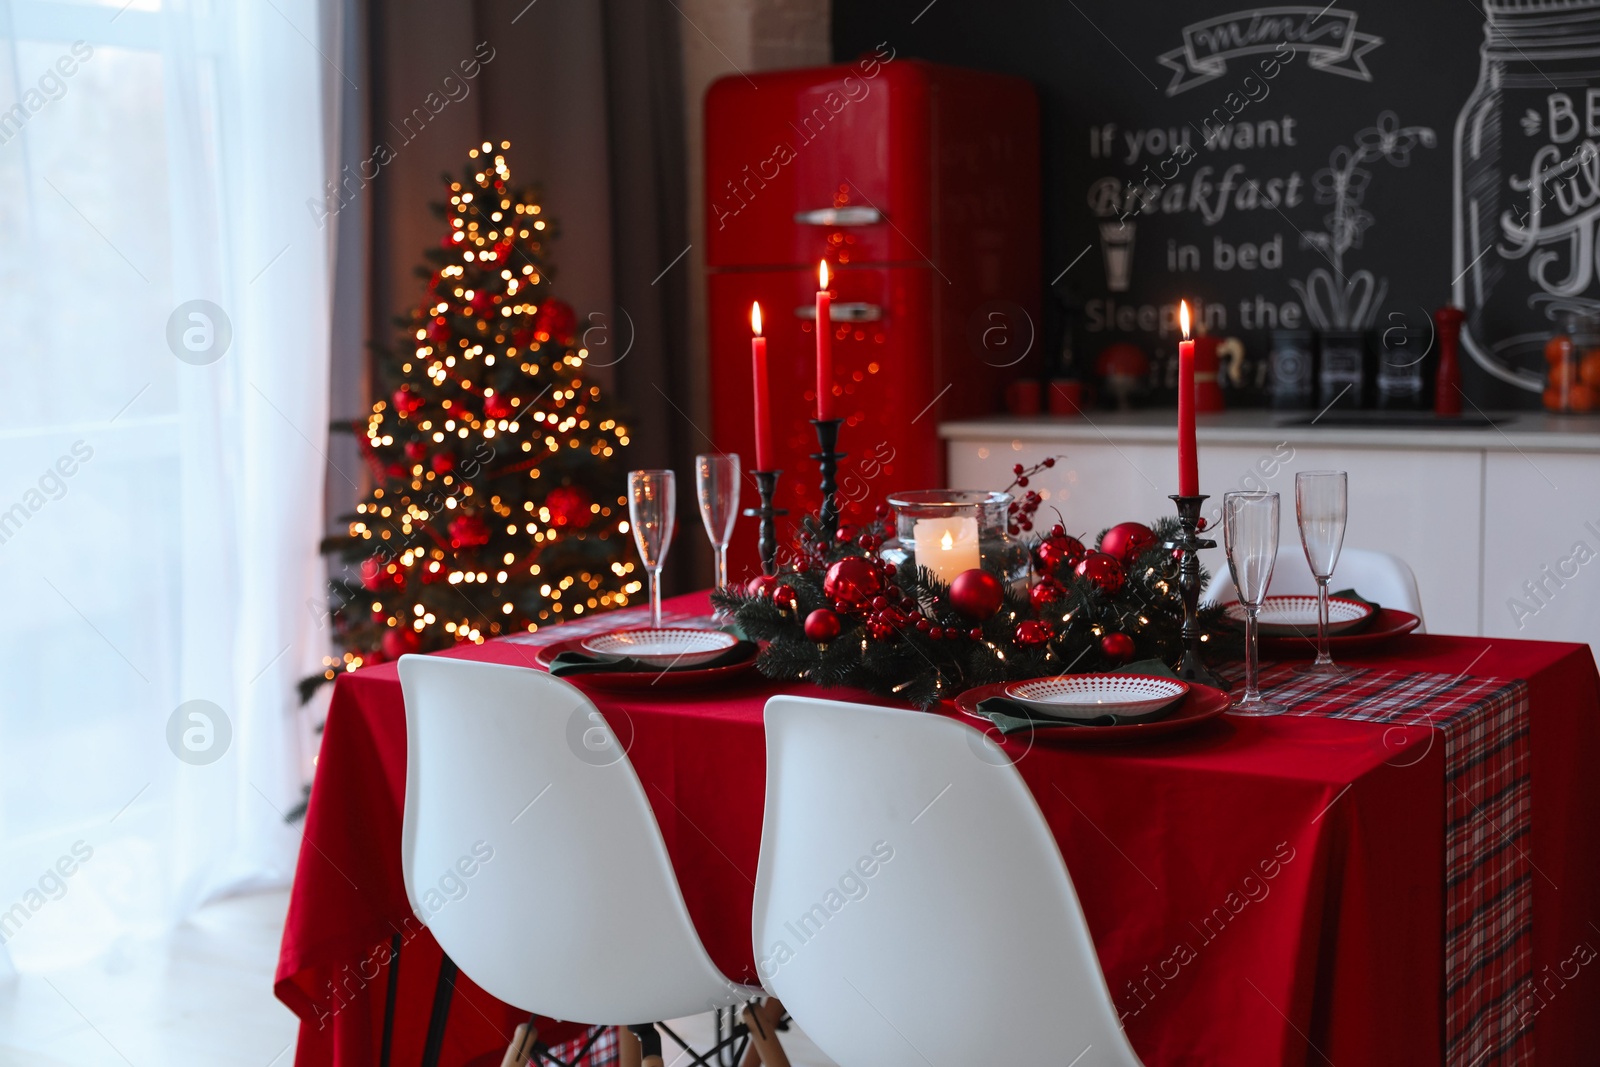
(911, 905)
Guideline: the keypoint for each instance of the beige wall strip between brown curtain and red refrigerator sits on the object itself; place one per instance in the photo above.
(732, 38)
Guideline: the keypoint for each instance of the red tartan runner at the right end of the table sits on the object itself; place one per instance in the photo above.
(1489, 818)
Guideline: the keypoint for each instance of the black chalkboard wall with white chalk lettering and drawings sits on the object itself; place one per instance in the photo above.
(1294, 167)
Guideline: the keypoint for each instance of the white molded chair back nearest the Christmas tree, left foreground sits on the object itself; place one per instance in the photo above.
(534, 857)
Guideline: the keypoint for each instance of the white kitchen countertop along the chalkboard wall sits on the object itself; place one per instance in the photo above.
(1516, 431)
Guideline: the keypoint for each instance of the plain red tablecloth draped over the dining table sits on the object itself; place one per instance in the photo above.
(1262, 892)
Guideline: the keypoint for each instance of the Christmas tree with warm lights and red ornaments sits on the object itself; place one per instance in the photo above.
(498, 489)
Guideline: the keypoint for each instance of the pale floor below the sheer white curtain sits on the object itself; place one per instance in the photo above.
(201, 997)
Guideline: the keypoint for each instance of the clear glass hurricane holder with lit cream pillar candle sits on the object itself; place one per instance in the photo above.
(956, 530)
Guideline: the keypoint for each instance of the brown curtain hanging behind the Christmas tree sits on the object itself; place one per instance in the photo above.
(591, 97)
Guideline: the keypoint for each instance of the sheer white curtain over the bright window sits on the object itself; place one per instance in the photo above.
(159, 492)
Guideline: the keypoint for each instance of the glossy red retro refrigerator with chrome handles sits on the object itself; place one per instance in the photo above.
(919, 185)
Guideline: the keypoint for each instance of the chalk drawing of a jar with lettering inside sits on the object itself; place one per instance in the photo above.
(1527, 191)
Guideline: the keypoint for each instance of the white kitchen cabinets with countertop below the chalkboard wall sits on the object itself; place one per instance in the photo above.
(1478, 513)
